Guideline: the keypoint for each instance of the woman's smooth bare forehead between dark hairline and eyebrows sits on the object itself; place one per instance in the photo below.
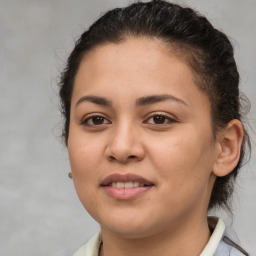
(139, 64)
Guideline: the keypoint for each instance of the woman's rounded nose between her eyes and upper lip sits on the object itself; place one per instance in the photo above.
(125, 145)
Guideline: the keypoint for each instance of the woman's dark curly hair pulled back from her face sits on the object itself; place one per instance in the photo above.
(205, 49)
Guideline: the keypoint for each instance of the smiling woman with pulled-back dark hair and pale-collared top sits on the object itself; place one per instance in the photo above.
(153, 129)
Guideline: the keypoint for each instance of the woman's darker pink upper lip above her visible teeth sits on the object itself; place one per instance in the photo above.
(124, 178)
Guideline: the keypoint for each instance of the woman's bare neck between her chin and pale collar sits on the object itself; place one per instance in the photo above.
(186, 239)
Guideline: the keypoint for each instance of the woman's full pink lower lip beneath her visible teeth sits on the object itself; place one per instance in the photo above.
(125, 193)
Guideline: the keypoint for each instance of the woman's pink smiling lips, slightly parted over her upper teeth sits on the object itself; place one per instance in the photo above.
(125, 187)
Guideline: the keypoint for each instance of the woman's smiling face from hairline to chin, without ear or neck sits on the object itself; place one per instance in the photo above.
(141, 145)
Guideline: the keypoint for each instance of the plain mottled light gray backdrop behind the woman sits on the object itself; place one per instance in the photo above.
(39, 210)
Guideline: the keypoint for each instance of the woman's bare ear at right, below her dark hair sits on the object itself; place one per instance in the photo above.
(229, 141)
